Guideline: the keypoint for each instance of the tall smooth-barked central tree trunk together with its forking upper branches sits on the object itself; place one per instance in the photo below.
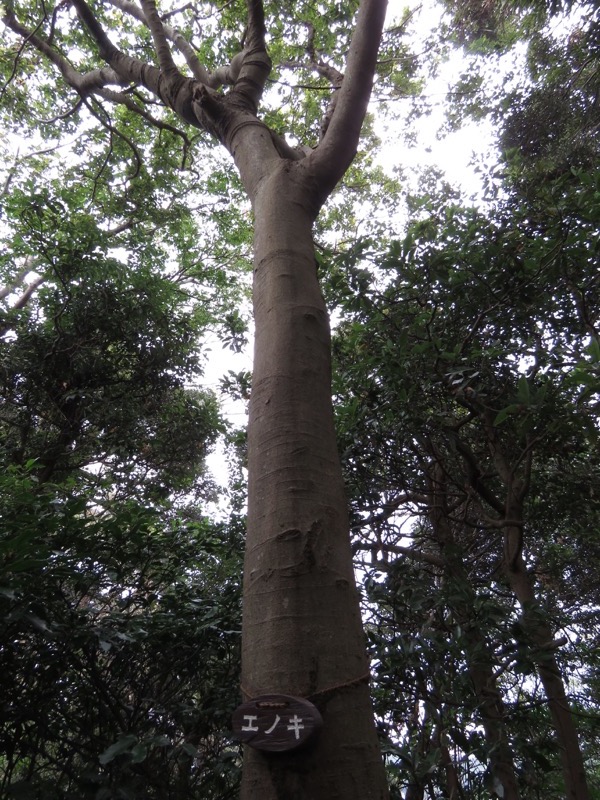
(302, 631)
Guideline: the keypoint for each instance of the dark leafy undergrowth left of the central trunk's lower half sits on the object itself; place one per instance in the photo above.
(123, 647)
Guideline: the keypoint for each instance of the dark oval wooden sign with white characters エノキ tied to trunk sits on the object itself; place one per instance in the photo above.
(276, 722)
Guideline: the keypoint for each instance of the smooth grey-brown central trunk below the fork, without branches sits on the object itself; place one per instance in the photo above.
(302, 625)
